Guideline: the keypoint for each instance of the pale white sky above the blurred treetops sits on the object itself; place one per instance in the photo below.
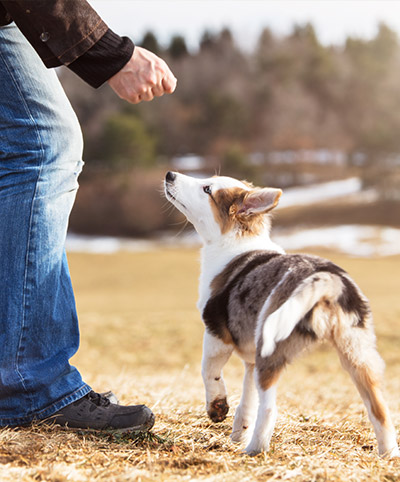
(333, 20)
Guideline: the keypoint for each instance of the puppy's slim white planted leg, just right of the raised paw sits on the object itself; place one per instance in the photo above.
(246, 411)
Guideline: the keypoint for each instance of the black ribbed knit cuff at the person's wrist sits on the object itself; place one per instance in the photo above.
(107, 57)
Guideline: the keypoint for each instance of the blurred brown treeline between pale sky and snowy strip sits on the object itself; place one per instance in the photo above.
(288, 93)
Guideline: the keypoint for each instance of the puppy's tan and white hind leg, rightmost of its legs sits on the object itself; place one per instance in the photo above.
(359, 356)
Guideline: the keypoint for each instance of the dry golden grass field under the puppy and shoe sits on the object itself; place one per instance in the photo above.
(141, 336)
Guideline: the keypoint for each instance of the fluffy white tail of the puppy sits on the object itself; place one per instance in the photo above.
(279, 324)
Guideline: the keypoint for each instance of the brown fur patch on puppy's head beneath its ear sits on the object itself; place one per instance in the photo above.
(226, 204)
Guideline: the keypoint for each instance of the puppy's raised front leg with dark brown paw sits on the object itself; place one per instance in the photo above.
(215, 354)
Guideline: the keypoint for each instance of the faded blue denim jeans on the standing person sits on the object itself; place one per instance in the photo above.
(40, 160)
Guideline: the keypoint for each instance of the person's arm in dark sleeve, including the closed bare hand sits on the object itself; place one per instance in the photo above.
(71, 33)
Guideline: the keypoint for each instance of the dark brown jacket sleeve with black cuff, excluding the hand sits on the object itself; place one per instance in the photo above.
(71, 33)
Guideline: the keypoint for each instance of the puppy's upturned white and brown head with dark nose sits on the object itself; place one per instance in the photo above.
(220, 206)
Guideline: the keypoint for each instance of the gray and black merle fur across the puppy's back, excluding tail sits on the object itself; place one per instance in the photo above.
(241, 289)
